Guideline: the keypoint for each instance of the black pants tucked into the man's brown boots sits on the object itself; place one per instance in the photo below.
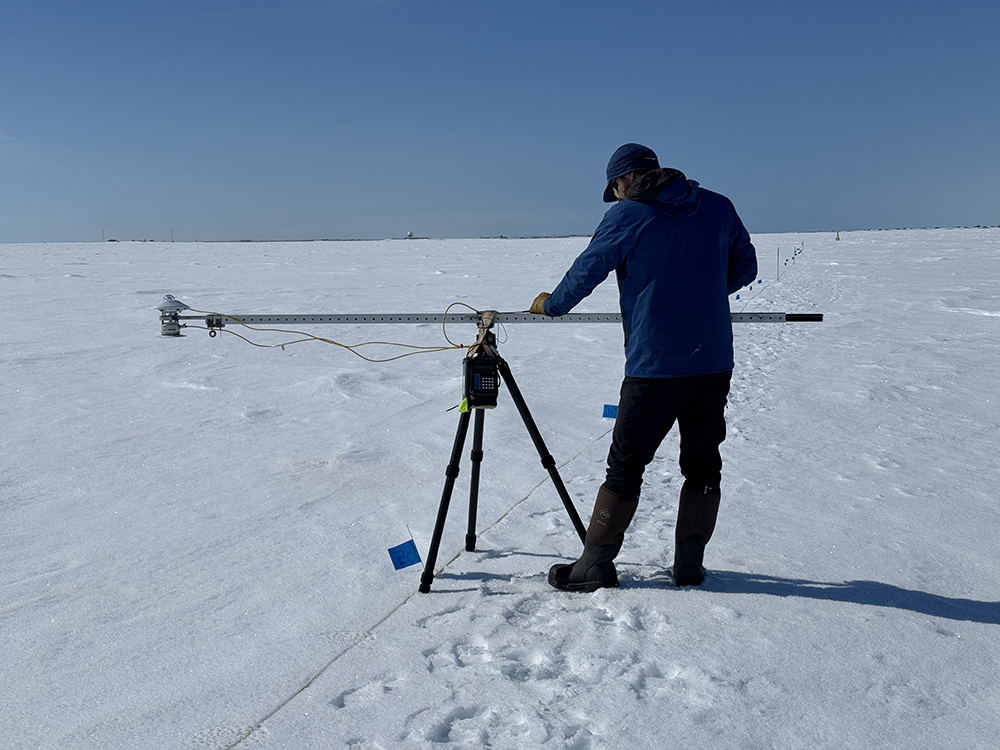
(647, 411)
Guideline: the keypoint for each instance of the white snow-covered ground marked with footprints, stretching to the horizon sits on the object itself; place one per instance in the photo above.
(194, 530)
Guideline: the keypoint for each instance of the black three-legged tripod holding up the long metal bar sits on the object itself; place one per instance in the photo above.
(483, 369)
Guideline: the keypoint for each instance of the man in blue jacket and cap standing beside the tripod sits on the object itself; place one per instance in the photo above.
(678, 252)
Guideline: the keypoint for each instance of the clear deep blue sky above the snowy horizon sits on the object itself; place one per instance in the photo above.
(297, 119)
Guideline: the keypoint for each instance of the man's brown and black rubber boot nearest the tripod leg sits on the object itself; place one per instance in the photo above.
(595, 569)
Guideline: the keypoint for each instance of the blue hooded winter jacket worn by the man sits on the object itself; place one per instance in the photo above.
(678, 251)
